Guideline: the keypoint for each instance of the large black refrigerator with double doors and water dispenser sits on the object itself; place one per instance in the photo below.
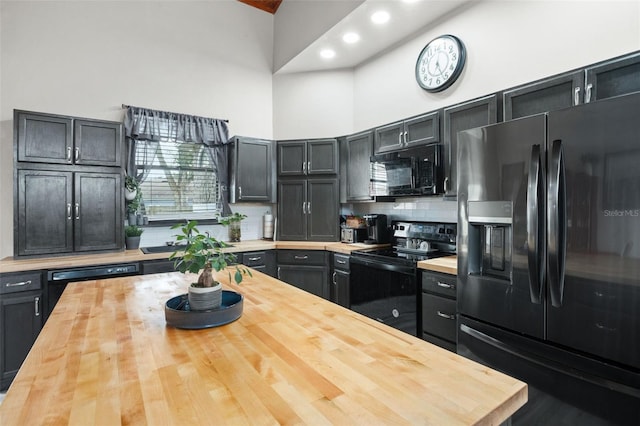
(549, 259)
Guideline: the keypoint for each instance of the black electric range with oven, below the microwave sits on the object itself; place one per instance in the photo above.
(384, 282)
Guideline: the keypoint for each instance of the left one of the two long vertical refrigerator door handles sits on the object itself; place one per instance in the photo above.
(535, 232)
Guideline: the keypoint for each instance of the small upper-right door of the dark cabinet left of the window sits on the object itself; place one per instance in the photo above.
(97, 143)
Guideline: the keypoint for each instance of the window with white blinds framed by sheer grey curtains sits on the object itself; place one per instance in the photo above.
(179, 180)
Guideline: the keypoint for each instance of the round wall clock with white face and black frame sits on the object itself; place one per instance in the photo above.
(440, 63)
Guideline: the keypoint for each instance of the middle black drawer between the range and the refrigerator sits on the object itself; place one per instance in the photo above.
(439, 316)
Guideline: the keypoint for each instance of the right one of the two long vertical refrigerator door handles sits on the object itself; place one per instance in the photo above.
(557, 224)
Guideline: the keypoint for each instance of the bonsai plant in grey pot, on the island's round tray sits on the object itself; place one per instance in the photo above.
(202, 253)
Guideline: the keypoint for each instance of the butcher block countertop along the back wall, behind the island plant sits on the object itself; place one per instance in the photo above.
(10, 264)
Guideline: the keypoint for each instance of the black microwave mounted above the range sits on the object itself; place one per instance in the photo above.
(413, 172)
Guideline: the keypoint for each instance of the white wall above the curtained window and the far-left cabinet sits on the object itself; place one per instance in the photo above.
(85, 59)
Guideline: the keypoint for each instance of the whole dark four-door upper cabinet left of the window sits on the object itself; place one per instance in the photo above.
(68, 191)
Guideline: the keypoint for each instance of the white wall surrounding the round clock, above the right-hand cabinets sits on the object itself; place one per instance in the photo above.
(508, 43)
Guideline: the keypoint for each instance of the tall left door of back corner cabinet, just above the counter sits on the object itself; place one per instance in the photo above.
(292, 217)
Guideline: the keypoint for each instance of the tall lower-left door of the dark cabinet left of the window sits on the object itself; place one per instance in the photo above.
(43, 212)
